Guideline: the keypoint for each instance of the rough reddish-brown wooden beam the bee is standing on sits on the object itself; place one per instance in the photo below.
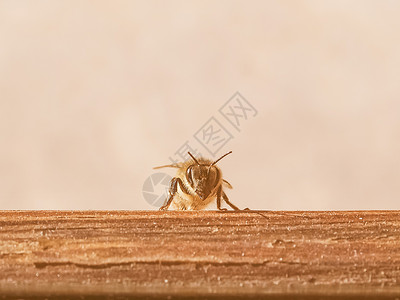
(216, 254)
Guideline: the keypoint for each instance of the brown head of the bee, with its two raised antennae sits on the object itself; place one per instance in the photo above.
(203, 178)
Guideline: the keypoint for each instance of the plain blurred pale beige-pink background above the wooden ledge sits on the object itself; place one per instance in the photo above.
(93, 94)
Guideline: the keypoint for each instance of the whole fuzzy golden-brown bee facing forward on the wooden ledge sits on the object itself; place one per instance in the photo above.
(197, 183)
